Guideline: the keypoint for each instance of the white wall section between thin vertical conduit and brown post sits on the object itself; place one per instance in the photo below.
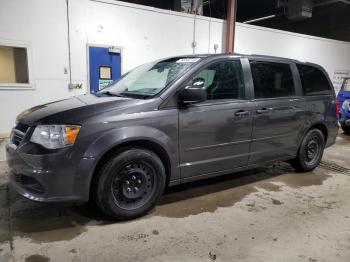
(143, 33)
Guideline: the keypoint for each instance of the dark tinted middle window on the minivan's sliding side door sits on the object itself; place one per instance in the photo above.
(272, 79)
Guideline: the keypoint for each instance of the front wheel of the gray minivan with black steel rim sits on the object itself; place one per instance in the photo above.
(129, 184)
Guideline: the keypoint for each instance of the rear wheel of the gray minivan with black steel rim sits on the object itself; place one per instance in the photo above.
(310, 151)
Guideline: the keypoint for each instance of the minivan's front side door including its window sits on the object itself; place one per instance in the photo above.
(215, 135)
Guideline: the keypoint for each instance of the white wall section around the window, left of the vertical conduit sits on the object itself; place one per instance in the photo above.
(40, 26)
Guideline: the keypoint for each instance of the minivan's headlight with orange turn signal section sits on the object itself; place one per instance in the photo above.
(55, 136)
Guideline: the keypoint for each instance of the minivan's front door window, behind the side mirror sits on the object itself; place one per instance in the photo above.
(223, 80)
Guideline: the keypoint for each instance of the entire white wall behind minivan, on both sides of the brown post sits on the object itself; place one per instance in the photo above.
(143, 33)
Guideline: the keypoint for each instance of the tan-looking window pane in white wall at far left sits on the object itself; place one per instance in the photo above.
(13, 65)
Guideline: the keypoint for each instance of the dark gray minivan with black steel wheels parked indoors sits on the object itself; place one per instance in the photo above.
(170, 122)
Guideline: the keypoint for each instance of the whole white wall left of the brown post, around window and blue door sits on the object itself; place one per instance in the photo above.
(144, 33)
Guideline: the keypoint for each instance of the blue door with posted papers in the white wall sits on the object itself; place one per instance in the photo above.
(105, 67)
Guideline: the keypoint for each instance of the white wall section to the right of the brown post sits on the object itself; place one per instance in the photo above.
(331, 54)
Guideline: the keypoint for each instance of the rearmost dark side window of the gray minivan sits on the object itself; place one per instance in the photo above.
(313, 80)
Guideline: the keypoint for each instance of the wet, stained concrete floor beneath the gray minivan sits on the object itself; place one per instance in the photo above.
(266, 214)
